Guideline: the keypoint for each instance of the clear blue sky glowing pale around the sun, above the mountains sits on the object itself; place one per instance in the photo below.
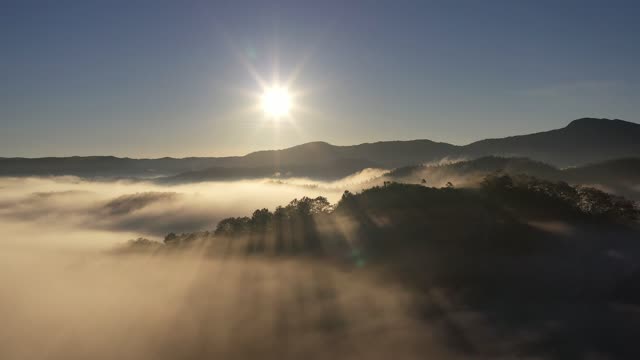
(159, 78)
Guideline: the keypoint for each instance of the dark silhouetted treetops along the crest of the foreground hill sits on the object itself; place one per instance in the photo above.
(527, 195)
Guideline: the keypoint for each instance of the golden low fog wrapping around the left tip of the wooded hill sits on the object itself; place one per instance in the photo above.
(66, 295)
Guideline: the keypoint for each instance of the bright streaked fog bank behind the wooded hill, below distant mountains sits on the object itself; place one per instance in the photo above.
(59, 211)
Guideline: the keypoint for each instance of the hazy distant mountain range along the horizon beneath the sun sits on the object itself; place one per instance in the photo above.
(583, 141)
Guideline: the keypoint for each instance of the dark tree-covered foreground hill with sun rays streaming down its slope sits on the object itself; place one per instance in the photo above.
(519, 268)
